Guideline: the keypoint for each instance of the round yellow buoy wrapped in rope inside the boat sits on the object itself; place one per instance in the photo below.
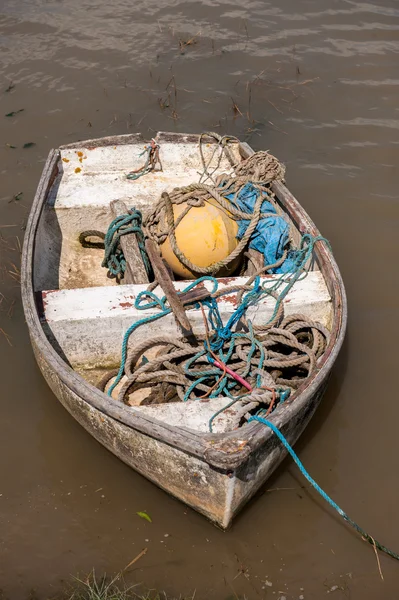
(205, 236)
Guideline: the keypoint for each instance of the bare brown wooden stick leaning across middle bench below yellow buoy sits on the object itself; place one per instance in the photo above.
(162, 276)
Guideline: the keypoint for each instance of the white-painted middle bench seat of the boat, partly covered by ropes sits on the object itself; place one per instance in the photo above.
(104, 317)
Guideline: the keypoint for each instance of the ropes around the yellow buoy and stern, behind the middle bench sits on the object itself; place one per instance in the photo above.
(260, 170)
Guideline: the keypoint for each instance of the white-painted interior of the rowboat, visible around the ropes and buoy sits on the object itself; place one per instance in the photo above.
(84, 312)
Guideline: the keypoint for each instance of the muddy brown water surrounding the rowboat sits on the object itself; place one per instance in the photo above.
(316, 82)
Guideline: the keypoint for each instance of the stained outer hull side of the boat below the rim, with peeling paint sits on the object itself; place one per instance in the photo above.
(217, 494)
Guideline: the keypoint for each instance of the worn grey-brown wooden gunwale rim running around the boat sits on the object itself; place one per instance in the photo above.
(223, 451)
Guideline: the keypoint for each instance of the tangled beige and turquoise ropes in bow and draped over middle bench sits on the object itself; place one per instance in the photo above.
(243, 361)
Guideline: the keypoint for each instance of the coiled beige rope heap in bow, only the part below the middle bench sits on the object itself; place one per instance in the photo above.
(278, 360)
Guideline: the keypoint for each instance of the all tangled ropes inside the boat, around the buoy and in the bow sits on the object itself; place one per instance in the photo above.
(259, 365)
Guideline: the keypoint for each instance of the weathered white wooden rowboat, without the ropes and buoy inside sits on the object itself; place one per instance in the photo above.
(77, 317)
